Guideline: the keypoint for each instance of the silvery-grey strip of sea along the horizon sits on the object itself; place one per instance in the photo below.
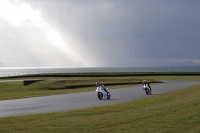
(16, 71)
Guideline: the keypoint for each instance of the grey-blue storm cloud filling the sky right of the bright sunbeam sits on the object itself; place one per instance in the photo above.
(128, 32)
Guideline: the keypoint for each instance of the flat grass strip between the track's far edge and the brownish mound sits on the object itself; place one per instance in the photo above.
(16, 90)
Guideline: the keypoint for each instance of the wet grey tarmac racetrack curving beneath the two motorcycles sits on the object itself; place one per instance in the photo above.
(82, 100)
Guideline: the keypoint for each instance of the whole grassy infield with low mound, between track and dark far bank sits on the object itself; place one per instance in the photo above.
(59, 85)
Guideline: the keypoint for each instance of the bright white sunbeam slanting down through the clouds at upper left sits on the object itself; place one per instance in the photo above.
(22, 15)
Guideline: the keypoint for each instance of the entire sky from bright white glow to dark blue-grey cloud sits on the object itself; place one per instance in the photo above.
(99, 33)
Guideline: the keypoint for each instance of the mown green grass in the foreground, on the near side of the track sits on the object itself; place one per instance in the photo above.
(172, 112)
